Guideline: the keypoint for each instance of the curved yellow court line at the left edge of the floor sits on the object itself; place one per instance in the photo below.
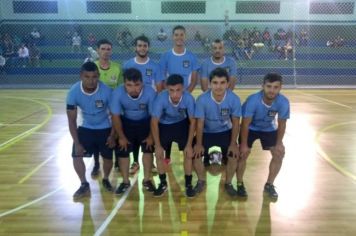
(26, 133)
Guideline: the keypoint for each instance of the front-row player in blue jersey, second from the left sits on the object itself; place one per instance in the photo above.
(131, 105)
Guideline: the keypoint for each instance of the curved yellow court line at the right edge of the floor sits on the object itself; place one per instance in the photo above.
(326, 157)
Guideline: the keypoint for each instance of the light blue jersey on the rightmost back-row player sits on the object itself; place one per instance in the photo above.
(229, 64)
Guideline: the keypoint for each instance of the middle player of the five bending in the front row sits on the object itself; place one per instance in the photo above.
(173, 121)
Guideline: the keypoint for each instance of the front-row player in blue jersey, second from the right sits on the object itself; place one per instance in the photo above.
(218, 113)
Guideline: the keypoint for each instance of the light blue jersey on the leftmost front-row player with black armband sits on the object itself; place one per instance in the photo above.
(94, 107)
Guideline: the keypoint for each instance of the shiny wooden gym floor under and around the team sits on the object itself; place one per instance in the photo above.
(316, 183)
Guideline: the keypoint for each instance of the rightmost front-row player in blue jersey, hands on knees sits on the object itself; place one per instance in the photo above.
(260, 112)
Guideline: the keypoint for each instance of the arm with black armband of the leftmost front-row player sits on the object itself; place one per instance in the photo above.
(72, 123)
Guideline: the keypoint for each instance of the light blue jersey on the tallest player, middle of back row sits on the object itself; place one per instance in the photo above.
(182, 64)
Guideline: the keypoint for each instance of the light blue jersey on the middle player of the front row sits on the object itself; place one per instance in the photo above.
(170, 113)
